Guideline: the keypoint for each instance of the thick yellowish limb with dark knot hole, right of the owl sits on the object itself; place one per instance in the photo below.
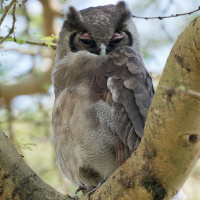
(170, 147)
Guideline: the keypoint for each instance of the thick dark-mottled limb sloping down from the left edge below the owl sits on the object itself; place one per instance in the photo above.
(18, 181)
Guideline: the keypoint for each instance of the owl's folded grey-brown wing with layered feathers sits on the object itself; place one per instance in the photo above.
(123, 82)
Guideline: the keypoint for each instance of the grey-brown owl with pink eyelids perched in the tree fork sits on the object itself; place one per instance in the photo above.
(102, 93)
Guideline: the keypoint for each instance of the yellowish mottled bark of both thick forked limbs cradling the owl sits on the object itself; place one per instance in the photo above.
(168, 151)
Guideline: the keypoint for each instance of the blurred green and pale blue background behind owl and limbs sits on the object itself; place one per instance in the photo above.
(25, 111)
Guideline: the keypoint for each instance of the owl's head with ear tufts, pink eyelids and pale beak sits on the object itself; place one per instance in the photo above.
(98, 30)
